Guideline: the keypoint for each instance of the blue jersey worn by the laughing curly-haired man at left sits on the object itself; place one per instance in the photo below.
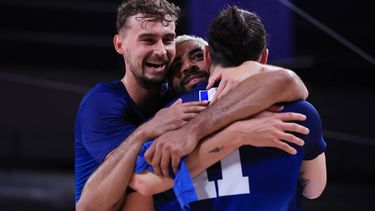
(106, 117)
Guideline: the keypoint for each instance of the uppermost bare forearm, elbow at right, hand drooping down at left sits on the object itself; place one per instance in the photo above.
(251, 96)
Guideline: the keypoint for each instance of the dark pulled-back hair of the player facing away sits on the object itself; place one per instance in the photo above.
(236, 36)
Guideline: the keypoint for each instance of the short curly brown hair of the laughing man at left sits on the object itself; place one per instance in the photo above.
(155, 9)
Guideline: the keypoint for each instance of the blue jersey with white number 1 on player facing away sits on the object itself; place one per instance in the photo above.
(253, 178)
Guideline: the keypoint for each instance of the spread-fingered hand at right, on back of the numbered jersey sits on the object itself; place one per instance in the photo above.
(269, 129)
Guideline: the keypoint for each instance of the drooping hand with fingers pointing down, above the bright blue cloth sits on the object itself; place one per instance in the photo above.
(170, 146)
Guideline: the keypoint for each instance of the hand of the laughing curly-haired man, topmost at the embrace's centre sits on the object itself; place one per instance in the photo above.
(173, 117)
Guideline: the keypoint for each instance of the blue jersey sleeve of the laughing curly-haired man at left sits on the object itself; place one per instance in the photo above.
(103, 124)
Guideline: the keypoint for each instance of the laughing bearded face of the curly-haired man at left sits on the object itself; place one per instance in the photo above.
(148, 47)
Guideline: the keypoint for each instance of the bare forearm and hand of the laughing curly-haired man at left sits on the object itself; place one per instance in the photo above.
(105, 189)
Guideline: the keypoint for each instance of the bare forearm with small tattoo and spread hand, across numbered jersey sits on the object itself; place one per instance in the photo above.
(264, 130)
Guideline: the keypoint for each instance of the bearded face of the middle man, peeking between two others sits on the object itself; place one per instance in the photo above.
(189, 67)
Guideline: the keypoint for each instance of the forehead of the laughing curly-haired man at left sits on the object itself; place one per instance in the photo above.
(142, 23)
